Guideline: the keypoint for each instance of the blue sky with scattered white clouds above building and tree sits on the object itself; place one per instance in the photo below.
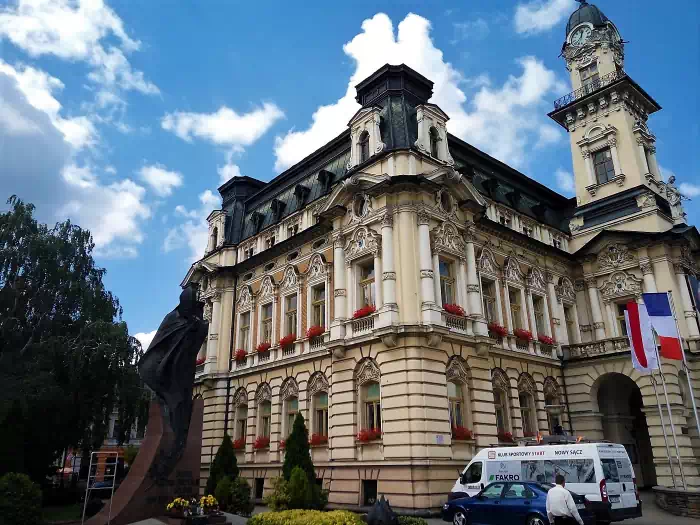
(126, 116)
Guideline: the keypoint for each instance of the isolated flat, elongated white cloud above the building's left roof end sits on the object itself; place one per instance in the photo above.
(224, 127)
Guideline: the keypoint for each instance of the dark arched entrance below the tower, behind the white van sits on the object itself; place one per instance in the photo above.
(620, 404)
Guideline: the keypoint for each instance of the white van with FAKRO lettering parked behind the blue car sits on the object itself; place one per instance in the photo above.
(600, 471)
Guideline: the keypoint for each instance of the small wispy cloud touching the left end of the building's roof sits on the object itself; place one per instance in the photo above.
(194, 231)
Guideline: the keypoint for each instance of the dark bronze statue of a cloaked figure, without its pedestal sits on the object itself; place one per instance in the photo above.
(168, 368)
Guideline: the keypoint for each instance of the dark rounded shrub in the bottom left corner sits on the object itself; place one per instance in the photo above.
(20, 500)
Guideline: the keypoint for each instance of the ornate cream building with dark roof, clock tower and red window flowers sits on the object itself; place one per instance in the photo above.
(398, 215)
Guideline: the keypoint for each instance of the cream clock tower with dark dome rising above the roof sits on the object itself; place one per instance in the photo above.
(618, 181)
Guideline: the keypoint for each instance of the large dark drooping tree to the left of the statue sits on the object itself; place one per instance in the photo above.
(66, 358)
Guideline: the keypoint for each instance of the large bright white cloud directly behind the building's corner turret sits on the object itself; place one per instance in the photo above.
(504, 121)
